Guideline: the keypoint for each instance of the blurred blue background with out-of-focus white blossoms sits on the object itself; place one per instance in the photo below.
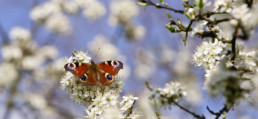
(38, 35)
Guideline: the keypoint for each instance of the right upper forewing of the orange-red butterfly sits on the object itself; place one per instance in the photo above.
(112, 67)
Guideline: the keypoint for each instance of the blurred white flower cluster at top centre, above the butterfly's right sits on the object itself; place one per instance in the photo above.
(122, 13)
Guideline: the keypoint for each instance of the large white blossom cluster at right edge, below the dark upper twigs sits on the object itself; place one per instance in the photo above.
(223, 77)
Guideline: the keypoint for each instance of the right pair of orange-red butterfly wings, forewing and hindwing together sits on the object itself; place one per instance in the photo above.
(107, 70)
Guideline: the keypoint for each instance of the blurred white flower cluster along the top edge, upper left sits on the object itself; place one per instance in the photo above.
(51, 13)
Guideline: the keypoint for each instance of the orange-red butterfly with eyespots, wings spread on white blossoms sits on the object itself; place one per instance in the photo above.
(92, 74)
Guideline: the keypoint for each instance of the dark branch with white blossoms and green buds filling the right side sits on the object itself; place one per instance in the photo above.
(230, 67)
